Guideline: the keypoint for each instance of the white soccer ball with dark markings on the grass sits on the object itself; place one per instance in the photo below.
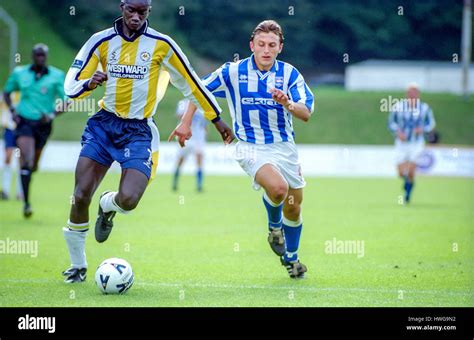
(114, 276)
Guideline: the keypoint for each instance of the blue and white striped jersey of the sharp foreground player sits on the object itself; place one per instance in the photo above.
(256, 117)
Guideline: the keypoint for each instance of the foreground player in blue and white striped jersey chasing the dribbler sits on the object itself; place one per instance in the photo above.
(263, 95)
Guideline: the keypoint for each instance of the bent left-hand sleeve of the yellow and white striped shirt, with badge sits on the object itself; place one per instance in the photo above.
(84, 66)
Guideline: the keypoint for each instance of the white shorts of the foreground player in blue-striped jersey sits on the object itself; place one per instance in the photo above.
(282, 155)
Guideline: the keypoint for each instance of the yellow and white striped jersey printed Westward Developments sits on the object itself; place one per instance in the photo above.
(133, 67)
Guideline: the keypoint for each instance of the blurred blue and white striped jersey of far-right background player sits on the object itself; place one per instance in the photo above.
(408, 119)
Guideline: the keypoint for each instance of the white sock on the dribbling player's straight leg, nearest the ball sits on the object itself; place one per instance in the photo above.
(75, 236)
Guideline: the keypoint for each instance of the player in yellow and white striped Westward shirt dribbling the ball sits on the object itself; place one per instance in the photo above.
(133, 59)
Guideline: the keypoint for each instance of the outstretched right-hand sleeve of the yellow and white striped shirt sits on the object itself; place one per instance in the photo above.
(188, 83)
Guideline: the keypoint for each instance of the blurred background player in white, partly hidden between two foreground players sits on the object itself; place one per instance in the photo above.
(194, 146)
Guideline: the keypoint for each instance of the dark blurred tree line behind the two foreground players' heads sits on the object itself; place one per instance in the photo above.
(320, 34)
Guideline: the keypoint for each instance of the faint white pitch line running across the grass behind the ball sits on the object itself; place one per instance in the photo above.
(242, 287)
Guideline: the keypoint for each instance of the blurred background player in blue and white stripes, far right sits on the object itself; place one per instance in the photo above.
(408, 122)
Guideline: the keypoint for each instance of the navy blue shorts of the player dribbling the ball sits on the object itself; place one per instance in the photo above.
(131, 142)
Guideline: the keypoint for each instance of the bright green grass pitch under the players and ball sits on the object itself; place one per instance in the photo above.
(210, 249)
